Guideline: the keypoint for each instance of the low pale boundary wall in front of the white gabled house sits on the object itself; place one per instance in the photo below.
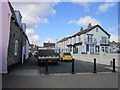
(102, 58)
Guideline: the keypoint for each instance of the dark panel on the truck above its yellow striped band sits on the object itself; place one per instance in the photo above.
(47, 53)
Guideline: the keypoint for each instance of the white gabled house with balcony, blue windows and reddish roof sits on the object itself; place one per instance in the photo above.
(92, 40)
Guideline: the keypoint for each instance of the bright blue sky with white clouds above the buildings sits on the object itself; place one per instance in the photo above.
(52, 21)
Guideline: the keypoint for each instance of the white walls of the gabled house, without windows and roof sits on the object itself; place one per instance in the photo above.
(96, 35)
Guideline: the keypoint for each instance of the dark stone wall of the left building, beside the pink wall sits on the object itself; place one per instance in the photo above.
(15, 34)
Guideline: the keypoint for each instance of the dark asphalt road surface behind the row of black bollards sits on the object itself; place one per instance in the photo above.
(30, 68)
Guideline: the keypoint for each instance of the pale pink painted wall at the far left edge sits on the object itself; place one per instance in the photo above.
(5, 22)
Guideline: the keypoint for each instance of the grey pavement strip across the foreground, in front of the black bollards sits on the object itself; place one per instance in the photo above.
(85, 80)
